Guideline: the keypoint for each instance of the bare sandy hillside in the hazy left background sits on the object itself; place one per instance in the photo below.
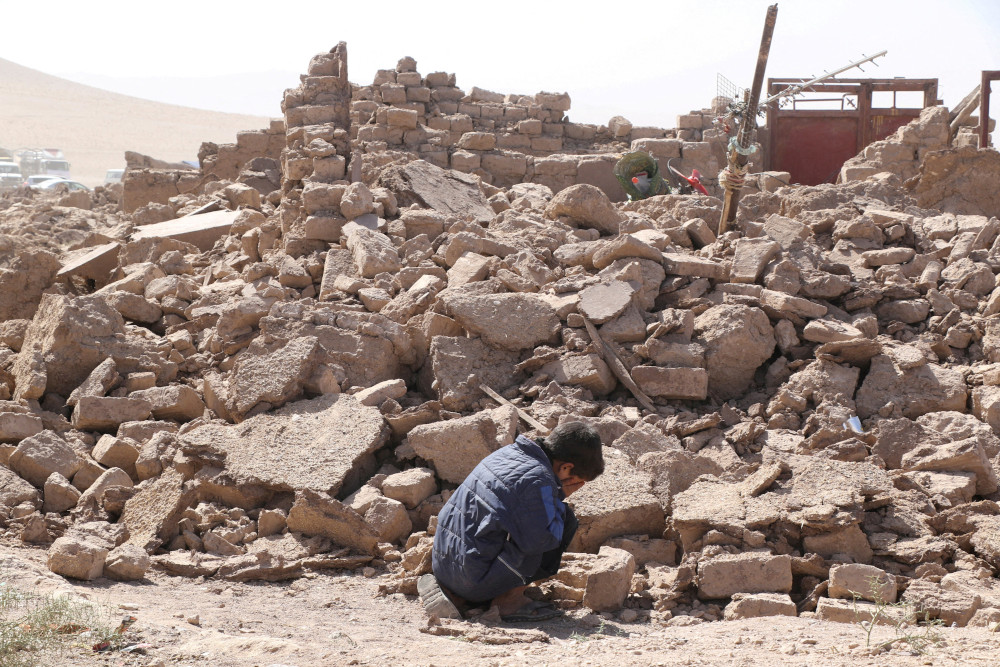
(94, 127)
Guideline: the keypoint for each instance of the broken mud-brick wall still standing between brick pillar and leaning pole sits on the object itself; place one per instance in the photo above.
(509, 139)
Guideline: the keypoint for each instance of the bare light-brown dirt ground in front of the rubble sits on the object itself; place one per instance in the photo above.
(338, 619)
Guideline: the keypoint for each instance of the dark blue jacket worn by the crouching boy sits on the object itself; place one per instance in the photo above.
(492, 532)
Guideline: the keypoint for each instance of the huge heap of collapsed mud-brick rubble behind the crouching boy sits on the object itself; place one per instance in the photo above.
(798, 411)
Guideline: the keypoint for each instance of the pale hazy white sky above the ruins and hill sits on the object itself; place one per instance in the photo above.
(646, 61)
